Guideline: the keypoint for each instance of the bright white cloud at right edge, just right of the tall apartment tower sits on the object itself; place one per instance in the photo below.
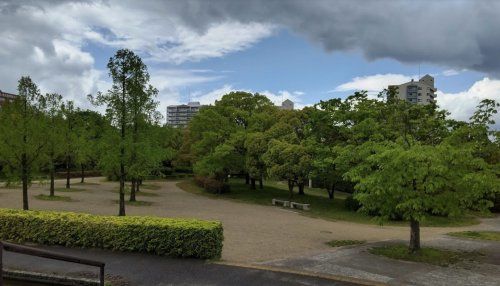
(462, 105)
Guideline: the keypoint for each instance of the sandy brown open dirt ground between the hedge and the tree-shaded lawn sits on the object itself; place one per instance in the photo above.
(252, 233)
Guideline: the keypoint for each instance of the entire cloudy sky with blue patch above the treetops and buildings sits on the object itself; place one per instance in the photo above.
(302, 50)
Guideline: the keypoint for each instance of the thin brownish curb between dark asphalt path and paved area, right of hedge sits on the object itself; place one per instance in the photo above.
(333, 277)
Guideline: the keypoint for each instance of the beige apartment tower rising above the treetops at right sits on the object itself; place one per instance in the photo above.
(418, 92)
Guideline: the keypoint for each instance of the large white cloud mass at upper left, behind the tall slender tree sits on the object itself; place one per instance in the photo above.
(48, 41)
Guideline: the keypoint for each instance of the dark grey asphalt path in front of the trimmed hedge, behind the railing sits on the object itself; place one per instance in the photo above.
(142, 269)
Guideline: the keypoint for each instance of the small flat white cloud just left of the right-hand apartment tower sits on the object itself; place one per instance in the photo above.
(372, 83)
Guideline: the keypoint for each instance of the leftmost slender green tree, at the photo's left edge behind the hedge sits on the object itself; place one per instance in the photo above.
(22, 134)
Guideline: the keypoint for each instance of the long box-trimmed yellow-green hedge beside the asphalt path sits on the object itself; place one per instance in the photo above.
(161, 236)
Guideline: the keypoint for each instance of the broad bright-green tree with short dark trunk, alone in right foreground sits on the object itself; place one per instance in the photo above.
(420, 180)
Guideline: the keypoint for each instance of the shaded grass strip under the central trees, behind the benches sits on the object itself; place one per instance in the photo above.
(321, 206)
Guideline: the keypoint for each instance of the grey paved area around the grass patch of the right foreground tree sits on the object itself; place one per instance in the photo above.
(359, 263)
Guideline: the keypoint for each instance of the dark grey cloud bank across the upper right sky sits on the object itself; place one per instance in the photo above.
(457, 34)
